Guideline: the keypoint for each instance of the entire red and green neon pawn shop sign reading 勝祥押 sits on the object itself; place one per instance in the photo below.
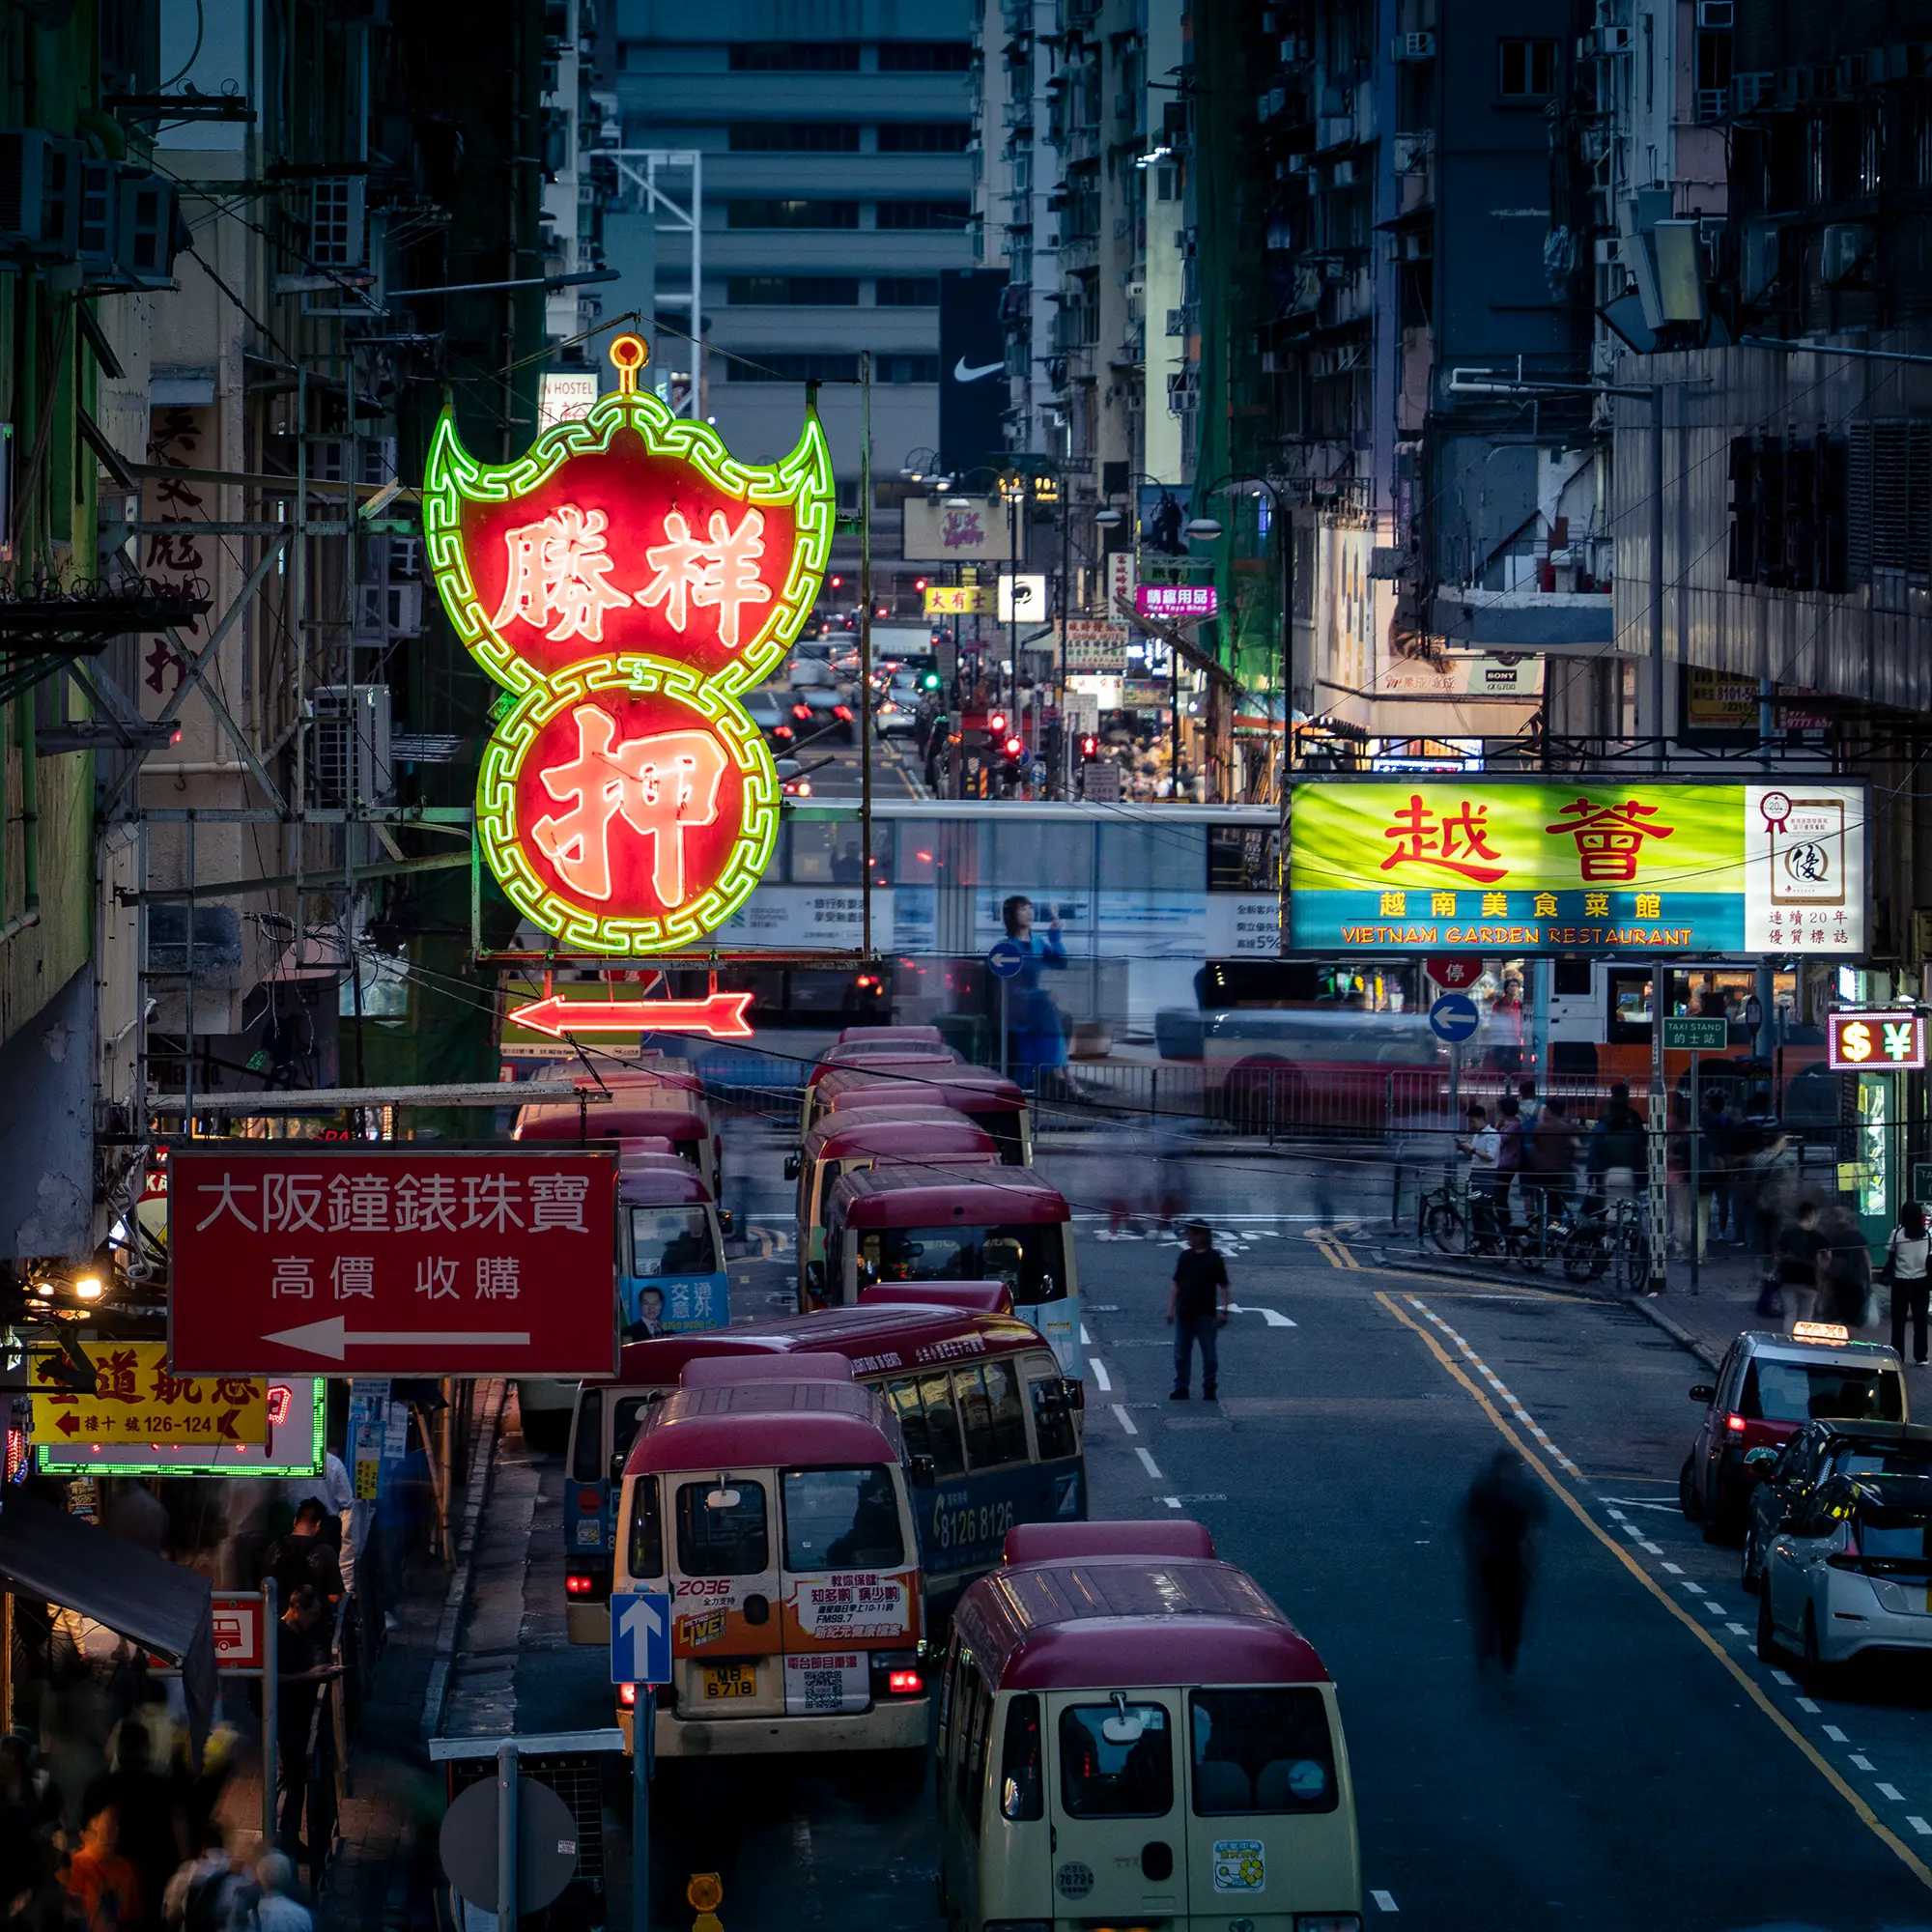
(629, 582)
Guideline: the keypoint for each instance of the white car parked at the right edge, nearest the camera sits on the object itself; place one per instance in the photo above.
(1850, 1574)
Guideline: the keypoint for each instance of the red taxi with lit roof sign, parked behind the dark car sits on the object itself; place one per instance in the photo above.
(1767, 1390)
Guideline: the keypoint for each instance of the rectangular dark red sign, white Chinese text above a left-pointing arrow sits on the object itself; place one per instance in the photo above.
(391, 1264)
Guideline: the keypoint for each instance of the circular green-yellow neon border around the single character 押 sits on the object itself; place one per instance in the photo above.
(503, 760)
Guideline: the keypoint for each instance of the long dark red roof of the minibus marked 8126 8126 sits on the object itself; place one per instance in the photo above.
(870, 1338)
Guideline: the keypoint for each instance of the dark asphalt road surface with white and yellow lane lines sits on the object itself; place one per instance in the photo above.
(1641, 1769)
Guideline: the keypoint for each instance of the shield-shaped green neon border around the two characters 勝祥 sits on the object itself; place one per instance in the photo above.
(803, 482)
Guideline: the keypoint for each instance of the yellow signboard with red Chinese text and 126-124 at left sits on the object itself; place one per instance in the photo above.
(138, 1402)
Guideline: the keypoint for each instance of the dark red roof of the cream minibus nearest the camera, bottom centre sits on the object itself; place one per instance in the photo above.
(1112, 1624)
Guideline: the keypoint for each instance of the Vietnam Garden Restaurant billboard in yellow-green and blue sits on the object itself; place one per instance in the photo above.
(1583, 867)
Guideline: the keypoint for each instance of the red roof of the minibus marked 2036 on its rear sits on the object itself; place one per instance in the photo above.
(766, 1425)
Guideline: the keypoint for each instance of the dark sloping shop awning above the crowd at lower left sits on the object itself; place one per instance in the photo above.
(55, 1558)
